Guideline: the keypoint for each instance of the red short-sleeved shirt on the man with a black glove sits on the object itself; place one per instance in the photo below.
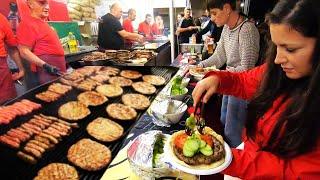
(40, 37)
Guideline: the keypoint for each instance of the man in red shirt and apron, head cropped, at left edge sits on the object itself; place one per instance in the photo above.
(8, 43)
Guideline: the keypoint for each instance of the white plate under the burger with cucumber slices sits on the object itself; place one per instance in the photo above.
(173, 162)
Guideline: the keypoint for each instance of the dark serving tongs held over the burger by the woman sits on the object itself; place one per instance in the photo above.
(199, 113)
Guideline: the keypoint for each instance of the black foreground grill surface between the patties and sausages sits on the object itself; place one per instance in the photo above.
(14, 168)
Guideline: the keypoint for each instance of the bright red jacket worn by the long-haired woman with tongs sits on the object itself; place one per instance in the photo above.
(252, 162)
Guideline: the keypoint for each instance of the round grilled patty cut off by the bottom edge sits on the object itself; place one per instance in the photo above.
(57, 171)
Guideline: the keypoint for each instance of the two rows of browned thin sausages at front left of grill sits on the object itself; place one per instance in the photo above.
(39, 134)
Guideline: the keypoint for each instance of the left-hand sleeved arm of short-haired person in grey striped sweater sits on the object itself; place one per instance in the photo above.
(218, 58)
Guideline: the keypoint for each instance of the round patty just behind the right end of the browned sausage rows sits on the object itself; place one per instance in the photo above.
(74, 111)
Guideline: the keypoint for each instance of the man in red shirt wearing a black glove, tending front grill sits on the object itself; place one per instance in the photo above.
(39, 43)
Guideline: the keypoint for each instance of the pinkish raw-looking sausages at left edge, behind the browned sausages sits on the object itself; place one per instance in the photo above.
(10, 112)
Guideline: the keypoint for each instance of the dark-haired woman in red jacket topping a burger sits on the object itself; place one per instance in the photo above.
(281, 140)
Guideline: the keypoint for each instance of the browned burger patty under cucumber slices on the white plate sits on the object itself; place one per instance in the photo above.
(199, 158)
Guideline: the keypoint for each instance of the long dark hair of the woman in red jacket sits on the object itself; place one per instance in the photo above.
(298, 128)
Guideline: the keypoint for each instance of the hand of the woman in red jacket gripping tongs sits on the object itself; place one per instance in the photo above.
(208, 87)
